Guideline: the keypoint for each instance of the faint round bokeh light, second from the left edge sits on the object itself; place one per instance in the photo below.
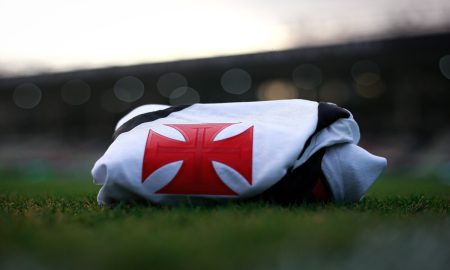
(75, 92)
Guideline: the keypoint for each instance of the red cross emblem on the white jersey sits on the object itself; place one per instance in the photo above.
(197, 174)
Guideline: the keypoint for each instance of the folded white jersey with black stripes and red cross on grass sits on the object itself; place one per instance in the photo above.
(285, 150)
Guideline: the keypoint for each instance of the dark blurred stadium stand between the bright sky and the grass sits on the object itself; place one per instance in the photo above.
(397, 88)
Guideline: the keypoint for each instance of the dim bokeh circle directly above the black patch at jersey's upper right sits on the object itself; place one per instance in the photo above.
(335, 91)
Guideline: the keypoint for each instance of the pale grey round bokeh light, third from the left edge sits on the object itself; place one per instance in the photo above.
(129, 89)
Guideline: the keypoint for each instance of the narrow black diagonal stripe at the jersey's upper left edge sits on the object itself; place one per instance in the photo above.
(147, 117)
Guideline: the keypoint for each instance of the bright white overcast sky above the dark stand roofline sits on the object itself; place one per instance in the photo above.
(54, 35)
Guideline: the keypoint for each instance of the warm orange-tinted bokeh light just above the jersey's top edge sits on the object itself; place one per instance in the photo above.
(277, 89)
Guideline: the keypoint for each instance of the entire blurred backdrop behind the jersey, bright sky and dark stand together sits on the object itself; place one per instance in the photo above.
(70, 69)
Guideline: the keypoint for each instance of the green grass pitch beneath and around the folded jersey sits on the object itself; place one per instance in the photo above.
(53, 222)
